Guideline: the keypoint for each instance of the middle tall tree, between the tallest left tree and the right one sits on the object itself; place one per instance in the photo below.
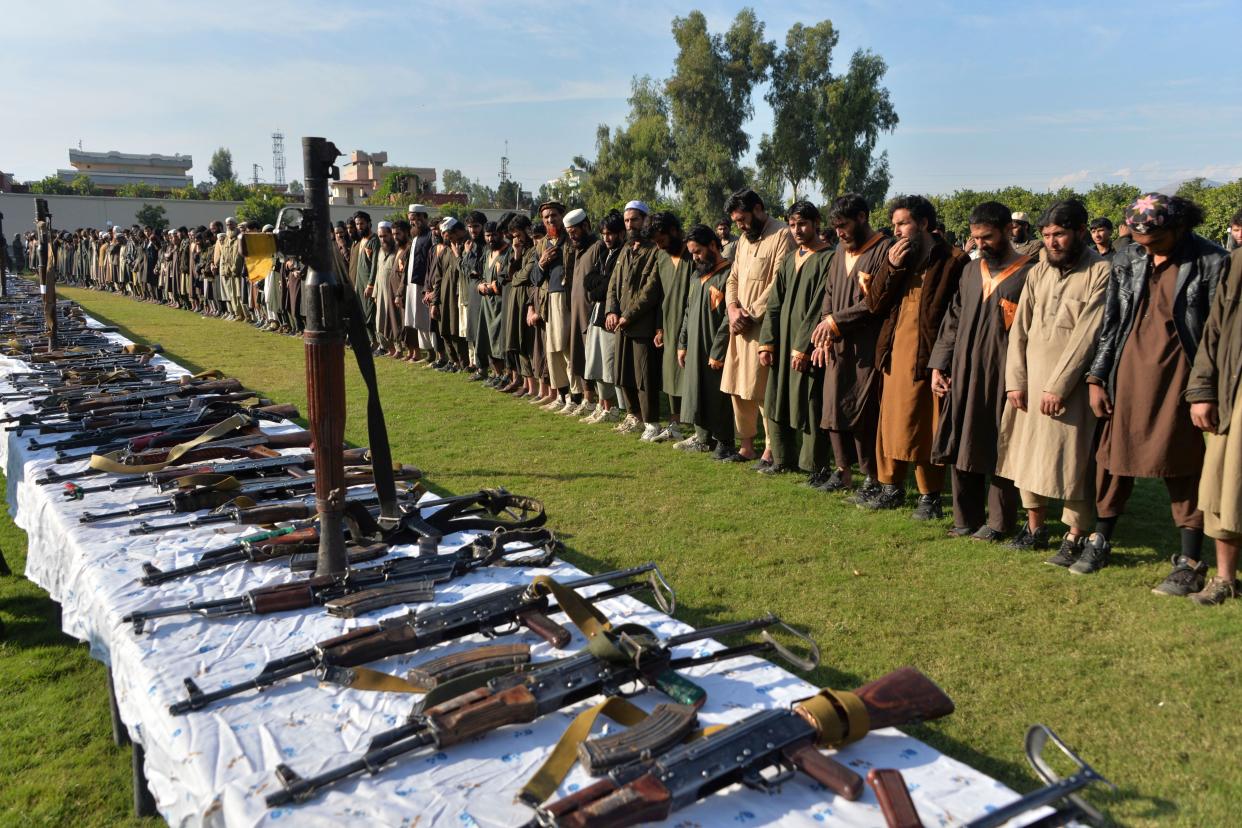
(800, 73)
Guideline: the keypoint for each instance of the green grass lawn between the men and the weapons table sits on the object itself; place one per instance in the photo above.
(1141, 686)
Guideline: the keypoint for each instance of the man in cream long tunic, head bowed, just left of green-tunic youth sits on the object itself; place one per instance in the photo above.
(763, 248)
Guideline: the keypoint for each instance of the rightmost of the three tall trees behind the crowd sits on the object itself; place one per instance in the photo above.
(855, 109)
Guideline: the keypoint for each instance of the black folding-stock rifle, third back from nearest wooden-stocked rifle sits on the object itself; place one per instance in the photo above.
(499, 614)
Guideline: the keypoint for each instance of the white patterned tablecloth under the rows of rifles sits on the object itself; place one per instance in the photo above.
(215, 767)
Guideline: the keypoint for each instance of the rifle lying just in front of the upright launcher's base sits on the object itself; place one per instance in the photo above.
(424, 573)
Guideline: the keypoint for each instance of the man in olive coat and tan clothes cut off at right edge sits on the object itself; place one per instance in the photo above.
(1217, 408)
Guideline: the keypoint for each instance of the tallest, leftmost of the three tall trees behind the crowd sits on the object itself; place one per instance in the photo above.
(710, 102)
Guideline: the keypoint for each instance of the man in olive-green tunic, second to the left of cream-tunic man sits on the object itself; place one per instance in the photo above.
(675, 280)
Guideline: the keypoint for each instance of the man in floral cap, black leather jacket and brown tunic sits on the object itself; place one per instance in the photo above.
(1157, 306)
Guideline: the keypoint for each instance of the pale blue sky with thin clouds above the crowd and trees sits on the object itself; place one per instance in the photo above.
(1036, 95)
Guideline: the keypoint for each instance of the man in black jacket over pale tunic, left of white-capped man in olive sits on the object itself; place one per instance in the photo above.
(599, 344)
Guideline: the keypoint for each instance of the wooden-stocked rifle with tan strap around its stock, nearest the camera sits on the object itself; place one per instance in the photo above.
(787, 740)
